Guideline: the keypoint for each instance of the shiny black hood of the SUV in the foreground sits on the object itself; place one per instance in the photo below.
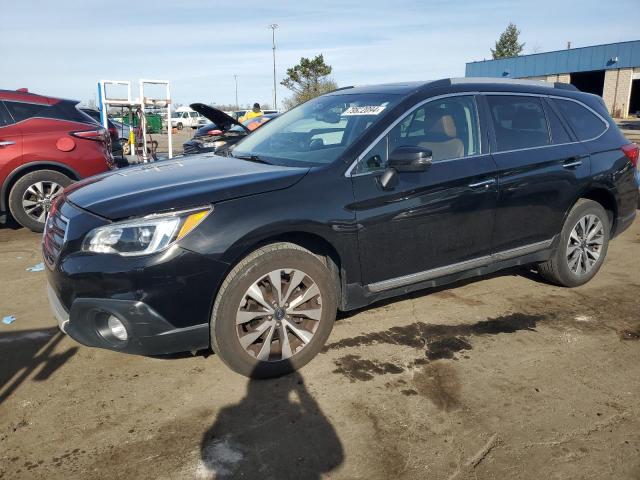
(179, 183)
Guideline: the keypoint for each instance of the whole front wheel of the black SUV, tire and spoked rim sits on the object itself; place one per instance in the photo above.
(233, 301)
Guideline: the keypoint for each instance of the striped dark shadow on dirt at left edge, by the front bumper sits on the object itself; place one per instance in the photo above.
(25, 351)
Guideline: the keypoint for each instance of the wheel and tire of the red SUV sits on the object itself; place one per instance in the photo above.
(30, 197)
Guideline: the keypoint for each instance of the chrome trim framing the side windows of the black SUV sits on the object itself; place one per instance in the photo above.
(524, 94)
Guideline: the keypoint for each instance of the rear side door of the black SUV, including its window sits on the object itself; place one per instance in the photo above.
(541, 169)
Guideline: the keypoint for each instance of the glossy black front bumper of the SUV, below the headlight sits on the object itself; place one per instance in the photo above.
(164, 300)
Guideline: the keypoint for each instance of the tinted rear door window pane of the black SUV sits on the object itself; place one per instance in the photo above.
(519, 122)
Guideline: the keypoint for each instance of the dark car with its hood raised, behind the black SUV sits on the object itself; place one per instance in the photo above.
(222, 133)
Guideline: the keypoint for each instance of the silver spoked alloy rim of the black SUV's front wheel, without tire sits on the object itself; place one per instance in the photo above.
(279, 315)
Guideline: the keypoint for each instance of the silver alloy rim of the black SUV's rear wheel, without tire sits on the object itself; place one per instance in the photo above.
(585, 244)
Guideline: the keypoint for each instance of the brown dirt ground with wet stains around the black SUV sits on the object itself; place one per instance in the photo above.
(505, 377)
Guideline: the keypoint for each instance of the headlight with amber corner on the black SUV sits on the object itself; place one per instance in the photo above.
(144, 236)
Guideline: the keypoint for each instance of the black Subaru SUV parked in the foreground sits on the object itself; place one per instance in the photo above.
(361, 194)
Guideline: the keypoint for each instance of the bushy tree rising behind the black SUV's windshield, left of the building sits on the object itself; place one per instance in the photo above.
(308, 79)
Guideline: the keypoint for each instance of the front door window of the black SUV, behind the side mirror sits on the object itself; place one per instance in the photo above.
(448, 127)
